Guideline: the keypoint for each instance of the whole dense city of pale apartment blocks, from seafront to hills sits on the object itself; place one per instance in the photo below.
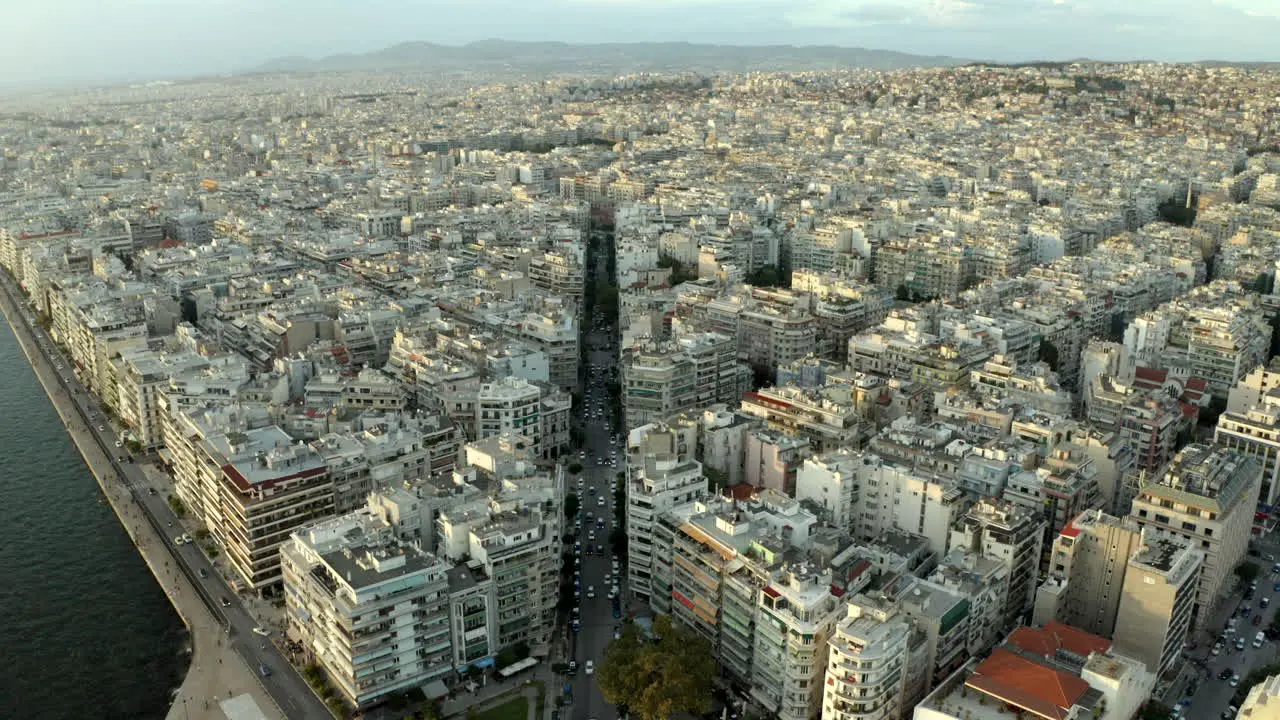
(940, 394)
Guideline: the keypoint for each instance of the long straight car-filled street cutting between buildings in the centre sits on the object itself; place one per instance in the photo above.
(597, 614)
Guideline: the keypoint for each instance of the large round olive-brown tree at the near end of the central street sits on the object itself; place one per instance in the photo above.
(659, 680)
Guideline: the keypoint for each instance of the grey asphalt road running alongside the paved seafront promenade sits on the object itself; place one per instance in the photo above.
(286, 687)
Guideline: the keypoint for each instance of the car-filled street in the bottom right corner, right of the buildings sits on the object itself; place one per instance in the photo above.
(1213, 696)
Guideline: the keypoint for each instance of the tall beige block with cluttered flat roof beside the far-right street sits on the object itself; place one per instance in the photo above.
(1208, 499)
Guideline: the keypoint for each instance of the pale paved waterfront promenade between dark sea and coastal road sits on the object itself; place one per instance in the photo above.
(218, 685)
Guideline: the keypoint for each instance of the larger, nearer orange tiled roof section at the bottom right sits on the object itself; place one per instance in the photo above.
(1025, 683)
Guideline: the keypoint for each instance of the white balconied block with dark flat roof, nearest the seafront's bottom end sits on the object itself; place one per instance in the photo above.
(372, 612)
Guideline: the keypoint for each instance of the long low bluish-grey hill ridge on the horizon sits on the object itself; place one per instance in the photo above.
(500, 56)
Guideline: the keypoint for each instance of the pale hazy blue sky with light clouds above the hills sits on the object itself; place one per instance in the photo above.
(60, 40)
